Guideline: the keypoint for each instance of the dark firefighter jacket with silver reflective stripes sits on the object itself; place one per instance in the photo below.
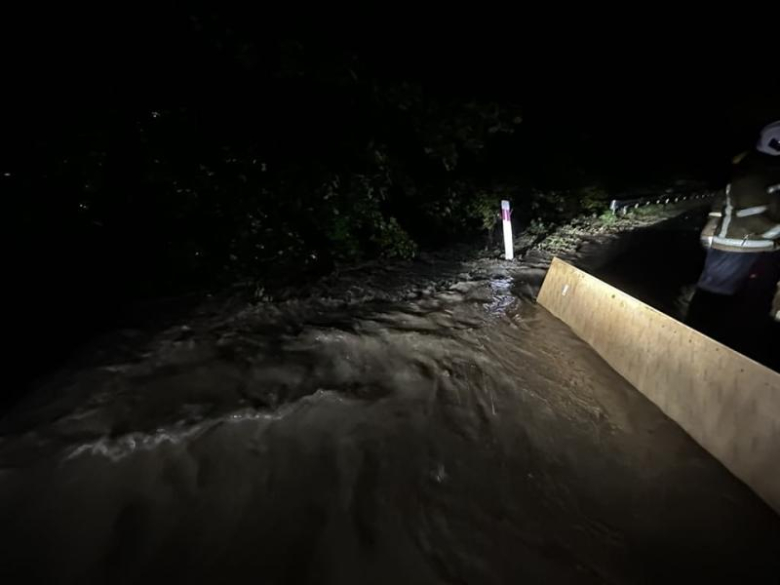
(749, 218)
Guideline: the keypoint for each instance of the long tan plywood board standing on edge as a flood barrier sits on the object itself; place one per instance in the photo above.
(724, 400)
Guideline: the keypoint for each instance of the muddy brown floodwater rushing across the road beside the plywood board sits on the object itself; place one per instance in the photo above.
(445, 432)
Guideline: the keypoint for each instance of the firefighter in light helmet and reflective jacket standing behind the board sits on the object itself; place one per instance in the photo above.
(734, 298)
